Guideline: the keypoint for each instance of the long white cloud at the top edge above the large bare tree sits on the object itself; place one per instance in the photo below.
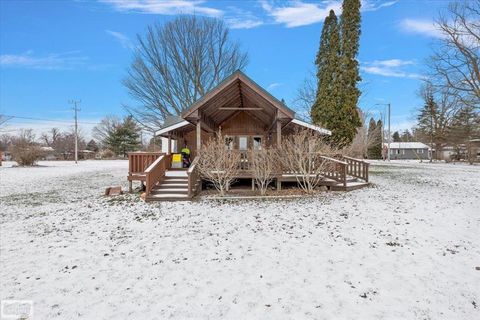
(165, 7)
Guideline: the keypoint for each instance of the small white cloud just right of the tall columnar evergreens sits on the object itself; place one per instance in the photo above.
(390, 68)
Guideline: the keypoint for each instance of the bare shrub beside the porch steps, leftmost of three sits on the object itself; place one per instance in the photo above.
(217, 164)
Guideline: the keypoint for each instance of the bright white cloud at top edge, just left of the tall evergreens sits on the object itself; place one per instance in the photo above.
(300, 13)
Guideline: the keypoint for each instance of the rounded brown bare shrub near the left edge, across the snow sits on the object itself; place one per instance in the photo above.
(24, 150)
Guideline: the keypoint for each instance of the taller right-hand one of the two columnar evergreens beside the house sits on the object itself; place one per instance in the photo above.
(350, 75)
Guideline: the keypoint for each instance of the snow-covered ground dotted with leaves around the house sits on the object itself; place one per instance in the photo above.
(407, 248)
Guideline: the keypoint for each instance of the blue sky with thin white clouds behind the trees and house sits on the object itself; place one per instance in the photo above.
(54, 51)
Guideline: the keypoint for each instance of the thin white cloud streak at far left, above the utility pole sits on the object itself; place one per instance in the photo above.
(53, 61)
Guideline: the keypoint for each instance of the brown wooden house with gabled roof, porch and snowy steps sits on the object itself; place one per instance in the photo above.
(248, 116)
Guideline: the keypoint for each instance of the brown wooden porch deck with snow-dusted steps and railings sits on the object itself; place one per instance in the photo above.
(165, 183)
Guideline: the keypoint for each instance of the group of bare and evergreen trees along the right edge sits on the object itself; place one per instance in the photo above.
(450, 114)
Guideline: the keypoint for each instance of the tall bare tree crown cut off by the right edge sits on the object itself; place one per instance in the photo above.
(456, 60)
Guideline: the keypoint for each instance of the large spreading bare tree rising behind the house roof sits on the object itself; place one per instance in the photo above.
(177, 63)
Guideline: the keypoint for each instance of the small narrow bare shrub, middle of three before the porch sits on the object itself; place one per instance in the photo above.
(264, 166)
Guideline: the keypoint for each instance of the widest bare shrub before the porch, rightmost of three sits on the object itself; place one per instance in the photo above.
(302, 154)
